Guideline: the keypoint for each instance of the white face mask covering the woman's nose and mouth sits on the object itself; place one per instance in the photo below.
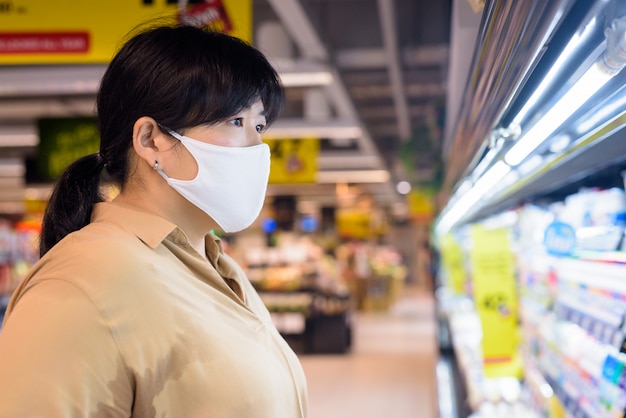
(231, 181)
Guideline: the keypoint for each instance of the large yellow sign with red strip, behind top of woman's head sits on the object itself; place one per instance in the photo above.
(80, 32)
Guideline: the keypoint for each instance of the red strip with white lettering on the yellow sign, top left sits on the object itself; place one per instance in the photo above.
(44, 42)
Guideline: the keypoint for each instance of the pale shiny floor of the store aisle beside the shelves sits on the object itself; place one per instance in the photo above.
(390, 370)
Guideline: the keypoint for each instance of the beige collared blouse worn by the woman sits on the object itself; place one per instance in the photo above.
(125, 319)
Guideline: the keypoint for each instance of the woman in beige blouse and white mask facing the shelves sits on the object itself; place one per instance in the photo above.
(134, 310)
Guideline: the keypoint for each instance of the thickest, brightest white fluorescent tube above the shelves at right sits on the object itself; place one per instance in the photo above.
(590, 82)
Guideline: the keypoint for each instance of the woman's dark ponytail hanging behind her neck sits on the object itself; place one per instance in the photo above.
(72, 200)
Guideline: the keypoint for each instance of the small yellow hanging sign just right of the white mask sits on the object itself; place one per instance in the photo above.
(293, 160)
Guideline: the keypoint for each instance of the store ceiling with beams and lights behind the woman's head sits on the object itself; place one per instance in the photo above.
(383, 112)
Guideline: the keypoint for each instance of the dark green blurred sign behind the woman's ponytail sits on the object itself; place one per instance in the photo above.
(62, 141)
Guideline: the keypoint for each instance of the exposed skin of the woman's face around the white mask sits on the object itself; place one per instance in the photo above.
(241, 130)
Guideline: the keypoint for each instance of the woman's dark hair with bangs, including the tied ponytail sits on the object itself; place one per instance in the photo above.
(182, 76)
